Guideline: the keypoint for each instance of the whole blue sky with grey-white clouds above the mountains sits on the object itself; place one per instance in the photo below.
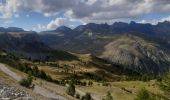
(40, 15)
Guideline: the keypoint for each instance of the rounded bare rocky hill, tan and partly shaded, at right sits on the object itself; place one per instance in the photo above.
(136, 53)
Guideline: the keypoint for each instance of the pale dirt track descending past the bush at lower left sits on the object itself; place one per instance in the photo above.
(38, 89)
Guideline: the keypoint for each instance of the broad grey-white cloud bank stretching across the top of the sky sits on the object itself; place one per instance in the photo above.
(88, 10)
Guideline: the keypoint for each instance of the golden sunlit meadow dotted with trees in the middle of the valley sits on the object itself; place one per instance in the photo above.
(85, 64)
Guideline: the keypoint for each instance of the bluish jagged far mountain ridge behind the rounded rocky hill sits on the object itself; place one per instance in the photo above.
(64, 37)
